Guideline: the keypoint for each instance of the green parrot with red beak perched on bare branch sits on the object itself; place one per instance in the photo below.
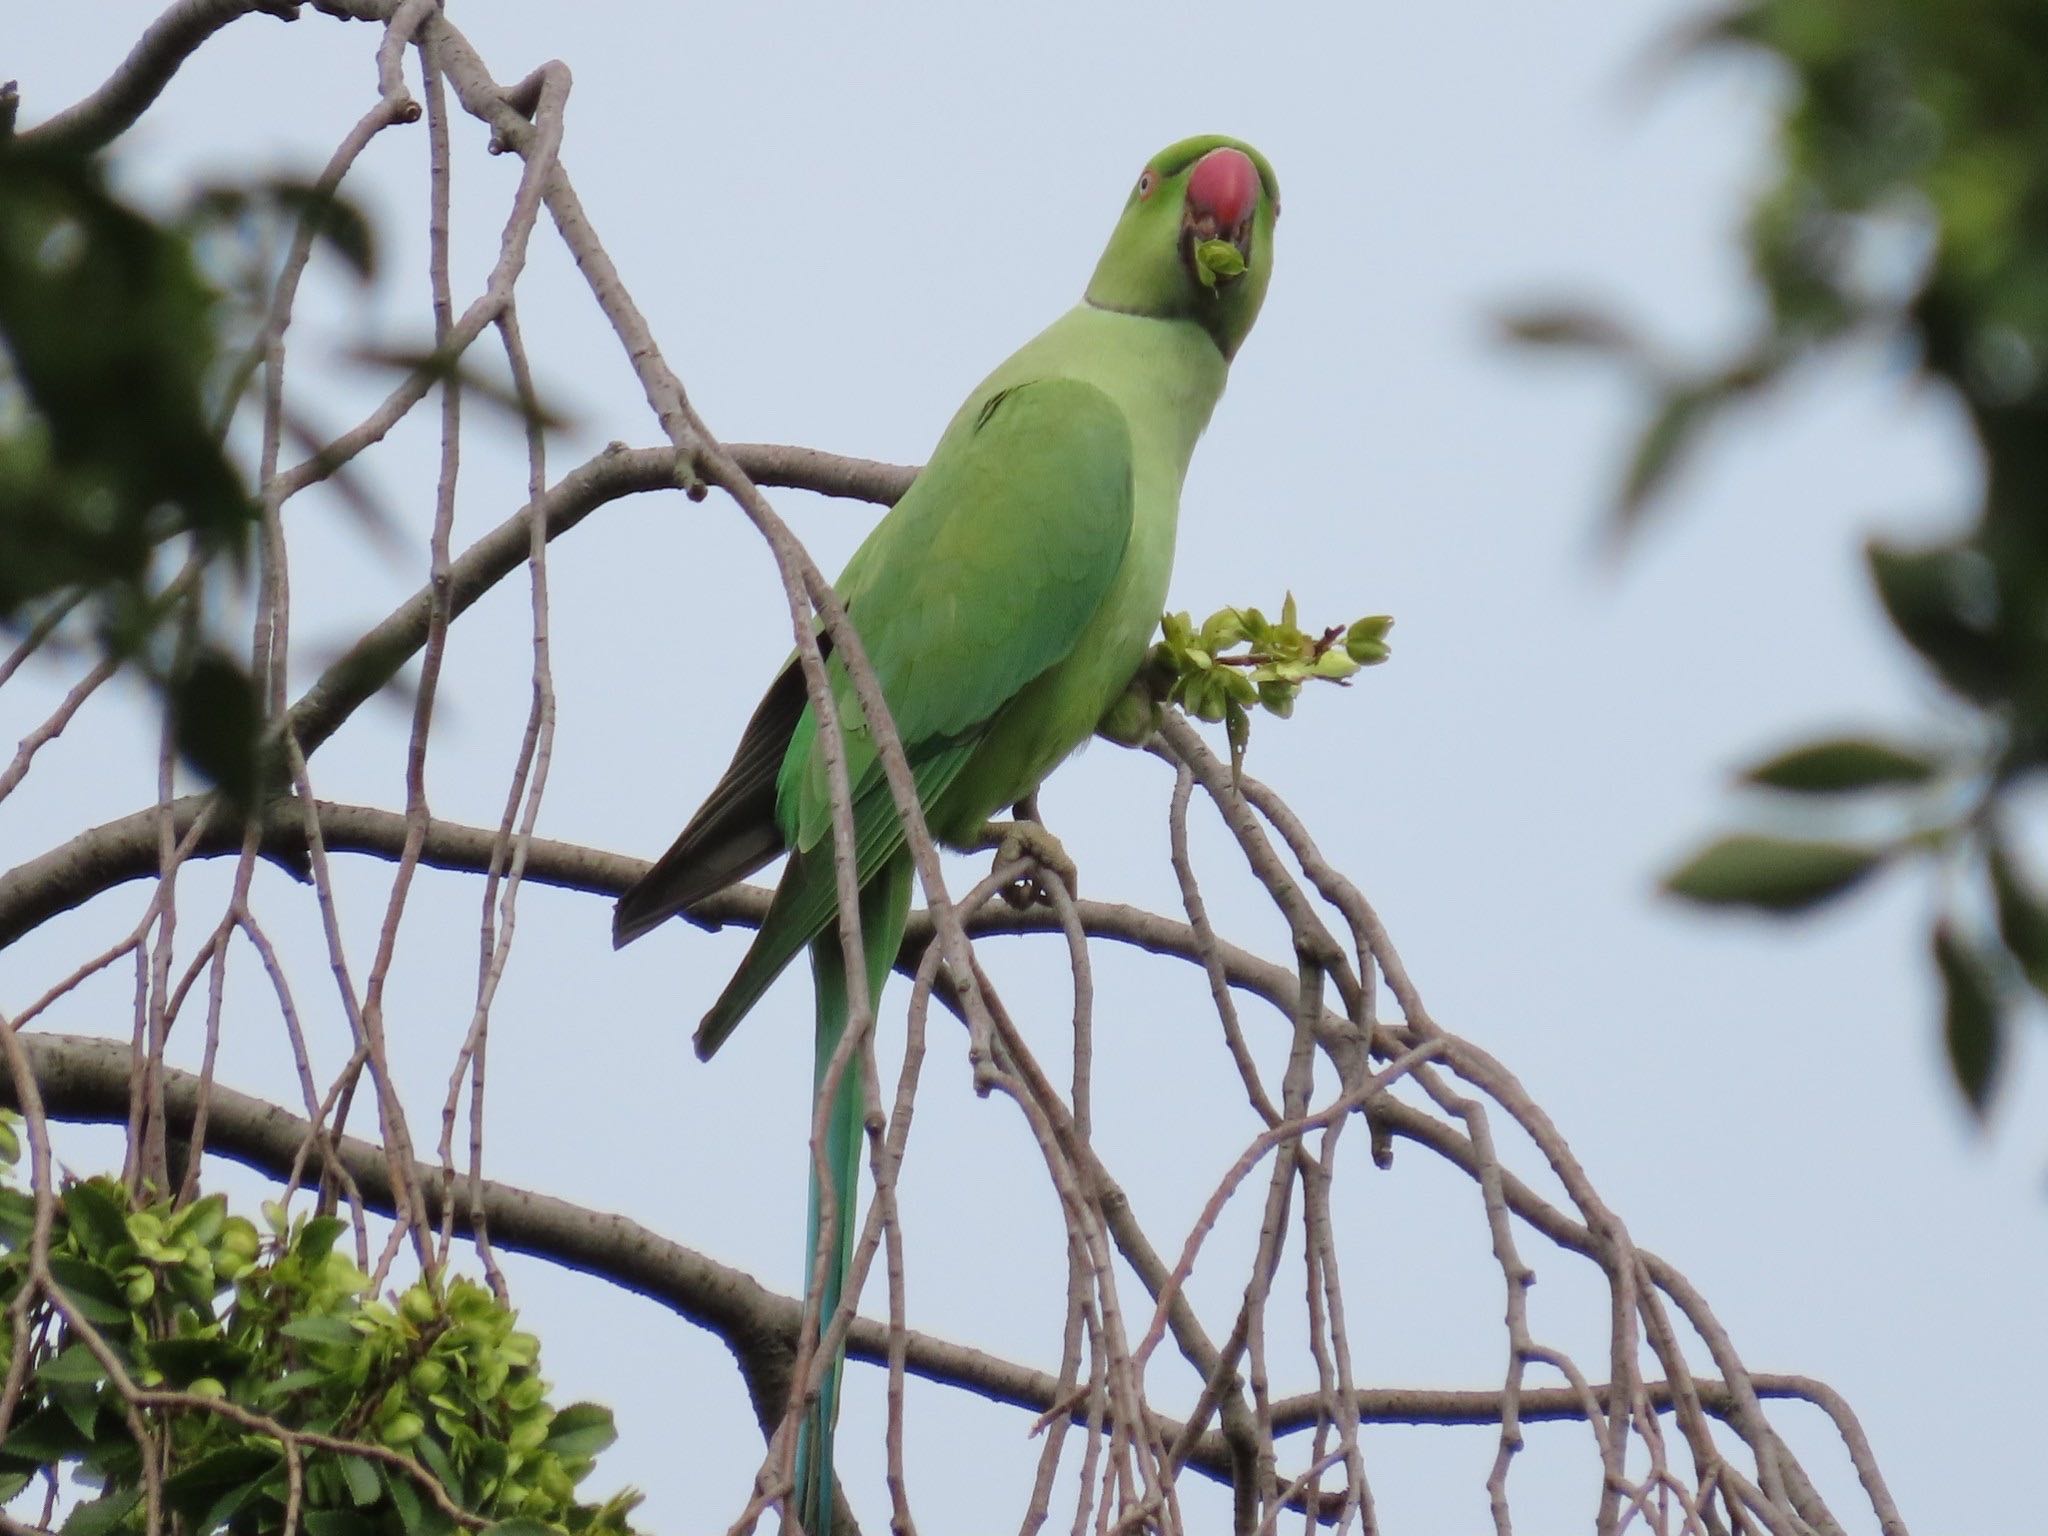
(1005, 603)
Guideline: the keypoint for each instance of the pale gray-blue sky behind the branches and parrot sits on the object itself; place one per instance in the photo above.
(839, 220)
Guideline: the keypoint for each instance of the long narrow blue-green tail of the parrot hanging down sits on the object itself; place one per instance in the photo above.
(884, 912)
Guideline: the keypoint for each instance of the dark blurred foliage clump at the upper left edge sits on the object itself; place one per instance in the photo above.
(118, 495)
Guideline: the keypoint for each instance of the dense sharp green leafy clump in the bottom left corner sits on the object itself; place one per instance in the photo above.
(278, 1322)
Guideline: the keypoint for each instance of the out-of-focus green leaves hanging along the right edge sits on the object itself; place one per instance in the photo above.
(1910, 208)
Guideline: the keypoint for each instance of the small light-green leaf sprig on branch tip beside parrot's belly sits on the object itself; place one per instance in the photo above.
(1205, 673)
